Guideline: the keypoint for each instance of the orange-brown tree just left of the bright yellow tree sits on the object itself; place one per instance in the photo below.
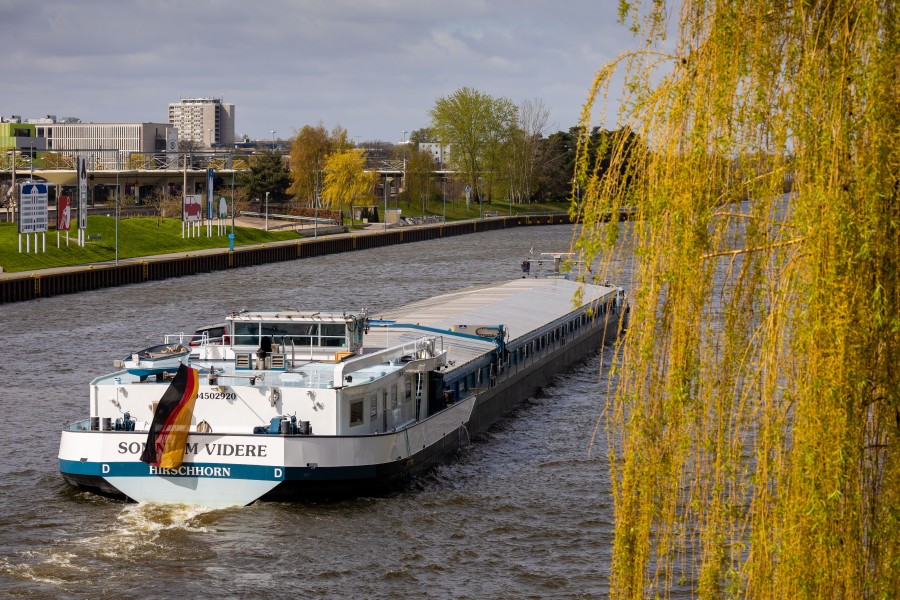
(309, 149)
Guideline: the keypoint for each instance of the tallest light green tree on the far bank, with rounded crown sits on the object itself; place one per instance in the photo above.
(475, 125)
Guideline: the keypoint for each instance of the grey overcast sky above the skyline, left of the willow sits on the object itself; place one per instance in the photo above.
(375, 67)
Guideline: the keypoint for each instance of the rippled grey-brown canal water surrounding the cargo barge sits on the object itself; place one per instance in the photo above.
(522, 512)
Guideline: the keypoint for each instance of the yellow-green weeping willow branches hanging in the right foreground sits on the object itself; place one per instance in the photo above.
(754, 428)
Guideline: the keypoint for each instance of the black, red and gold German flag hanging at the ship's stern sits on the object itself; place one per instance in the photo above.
(172, 421)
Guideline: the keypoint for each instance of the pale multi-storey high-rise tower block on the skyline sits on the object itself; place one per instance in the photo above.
(205, 121)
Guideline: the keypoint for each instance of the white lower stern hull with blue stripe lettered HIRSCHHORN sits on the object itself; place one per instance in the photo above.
(229, 470)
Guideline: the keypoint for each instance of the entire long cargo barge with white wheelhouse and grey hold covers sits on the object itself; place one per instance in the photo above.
(371, 415)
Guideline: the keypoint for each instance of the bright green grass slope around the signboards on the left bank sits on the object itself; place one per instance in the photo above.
(137, 237)
